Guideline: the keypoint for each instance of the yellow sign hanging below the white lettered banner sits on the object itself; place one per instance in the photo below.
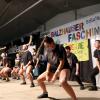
(80, 49)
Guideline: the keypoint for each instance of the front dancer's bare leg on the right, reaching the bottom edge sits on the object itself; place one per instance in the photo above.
(65, 85)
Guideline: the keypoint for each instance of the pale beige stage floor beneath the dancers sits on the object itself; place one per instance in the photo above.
(14, 91)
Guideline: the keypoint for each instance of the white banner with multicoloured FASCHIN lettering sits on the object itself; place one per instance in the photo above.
(81, 29)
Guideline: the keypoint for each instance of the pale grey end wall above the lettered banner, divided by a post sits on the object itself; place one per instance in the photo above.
(67, 17)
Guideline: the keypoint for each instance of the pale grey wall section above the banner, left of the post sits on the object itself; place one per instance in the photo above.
(60, 19)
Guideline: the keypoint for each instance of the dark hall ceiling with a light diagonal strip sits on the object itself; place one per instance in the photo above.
(14, 23)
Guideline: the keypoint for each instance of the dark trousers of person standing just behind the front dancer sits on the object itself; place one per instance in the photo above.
(75, 77)
